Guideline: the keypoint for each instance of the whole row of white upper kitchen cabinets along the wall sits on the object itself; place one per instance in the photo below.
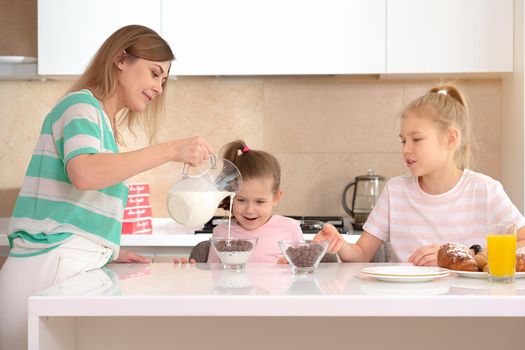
(293, 37)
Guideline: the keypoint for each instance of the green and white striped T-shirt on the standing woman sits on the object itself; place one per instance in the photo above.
(49, 209)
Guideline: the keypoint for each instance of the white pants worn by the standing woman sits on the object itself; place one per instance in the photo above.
(22, 277)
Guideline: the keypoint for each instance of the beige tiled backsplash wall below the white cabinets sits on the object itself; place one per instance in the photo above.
(324, 130)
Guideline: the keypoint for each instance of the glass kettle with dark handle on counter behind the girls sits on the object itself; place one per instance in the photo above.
(366, 191)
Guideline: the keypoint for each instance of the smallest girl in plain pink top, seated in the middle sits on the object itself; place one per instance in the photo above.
(253, 205)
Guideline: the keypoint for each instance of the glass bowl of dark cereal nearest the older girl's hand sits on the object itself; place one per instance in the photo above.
(303, 257)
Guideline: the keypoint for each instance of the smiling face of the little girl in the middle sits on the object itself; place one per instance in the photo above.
(253, 205)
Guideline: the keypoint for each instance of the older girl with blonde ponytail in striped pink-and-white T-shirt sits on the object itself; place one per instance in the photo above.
(442, 200)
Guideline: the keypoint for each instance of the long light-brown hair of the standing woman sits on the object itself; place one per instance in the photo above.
(129, 42)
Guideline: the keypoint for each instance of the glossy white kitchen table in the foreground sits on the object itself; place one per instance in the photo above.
(160, 306)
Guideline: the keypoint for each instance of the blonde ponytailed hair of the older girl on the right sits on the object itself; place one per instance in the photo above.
(447, 106)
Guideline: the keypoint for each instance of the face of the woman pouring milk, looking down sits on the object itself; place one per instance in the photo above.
(140, 81)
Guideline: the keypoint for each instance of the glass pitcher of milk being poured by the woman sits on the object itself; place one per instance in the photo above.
(193, 200)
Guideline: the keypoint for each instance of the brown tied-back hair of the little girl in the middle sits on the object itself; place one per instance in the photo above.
(252, 164)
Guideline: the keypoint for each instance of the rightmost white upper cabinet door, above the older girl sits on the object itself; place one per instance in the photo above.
(449, 36)
